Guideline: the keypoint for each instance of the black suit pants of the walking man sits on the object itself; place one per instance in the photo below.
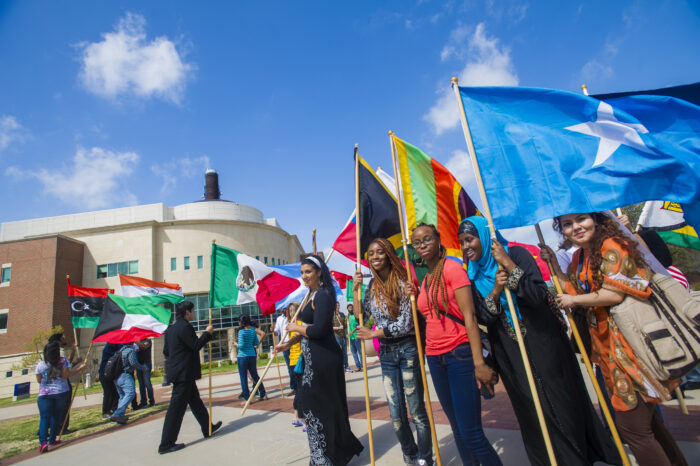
(184, 394)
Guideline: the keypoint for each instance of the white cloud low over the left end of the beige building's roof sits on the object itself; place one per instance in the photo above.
(95, 180)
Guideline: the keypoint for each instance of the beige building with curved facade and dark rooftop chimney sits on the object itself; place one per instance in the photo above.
(165, 243)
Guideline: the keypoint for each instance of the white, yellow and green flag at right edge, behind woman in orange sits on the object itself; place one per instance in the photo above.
(667, 219)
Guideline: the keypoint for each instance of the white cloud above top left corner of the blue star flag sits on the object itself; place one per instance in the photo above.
(489, 65)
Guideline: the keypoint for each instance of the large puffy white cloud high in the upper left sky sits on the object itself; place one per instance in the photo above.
(125, 62)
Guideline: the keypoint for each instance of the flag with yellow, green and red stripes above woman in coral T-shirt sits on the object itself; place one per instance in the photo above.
(432, 195)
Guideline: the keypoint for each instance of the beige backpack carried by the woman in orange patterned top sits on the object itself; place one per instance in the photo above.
(664, 330)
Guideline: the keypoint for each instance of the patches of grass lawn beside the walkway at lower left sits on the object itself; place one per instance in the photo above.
(19, 435)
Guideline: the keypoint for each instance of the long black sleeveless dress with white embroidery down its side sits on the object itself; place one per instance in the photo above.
(322, 396)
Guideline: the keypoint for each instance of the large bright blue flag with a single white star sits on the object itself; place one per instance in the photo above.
(544, 153)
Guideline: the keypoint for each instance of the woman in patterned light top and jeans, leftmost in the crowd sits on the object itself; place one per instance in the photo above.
(52, 374)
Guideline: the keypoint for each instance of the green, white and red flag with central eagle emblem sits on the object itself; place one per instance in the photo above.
(238, 279)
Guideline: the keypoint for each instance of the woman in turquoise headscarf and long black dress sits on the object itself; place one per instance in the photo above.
(577, 435)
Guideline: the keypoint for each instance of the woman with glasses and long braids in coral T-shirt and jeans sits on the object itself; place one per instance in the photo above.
(453, 346)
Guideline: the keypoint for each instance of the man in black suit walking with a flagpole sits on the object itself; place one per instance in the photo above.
(182, 353)
